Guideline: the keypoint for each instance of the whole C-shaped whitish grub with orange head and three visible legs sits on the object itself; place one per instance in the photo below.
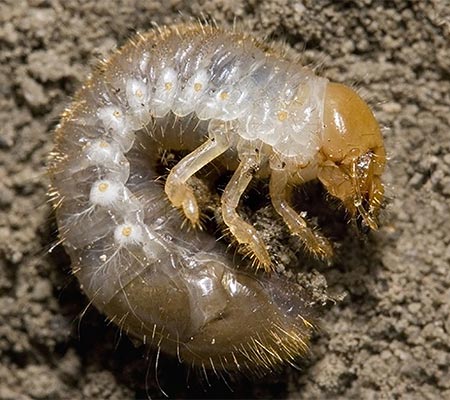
(223, 96)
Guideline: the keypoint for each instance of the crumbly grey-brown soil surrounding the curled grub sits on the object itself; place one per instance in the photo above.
(389, 338)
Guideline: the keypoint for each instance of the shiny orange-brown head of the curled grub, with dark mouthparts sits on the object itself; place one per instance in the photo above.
(354, 155)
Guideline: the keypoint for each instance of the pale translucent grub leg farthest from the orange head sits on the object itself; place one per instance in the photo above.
(178, 192)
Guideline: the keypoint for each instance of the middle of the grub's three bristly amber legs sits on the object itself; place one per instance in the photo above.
(243, 232)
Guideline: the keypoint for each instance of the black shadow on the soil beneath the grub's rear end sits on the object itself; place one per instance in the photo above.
(158, 376)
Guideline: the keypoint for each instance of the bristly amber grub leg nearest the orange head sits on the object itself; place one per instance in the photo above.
(279, 194)
